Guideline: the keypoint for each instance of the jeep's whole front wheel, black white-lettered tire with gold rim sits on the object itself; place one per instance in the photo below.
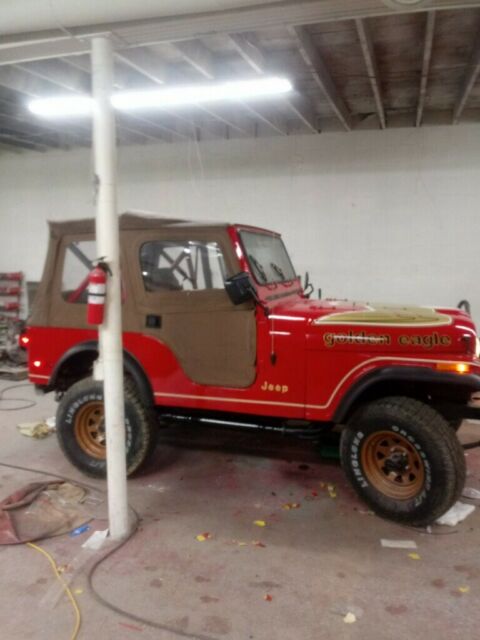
(404, 460)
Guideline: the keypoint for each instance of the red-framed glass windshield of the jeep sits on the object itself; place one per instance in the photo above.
(267, 257)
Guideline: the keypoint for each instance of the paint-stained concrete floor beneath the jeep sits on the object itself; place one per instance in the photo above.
(317, 562)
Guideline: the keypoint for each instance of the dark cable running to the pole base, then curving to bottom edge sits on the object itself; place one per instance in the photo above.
(96, 565)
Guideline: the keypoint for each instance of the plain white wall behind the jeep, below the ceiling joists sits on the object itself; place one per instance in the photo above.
(390, 216)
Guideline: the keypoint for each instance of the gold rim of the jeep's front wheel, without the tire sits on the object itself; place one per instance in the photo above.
(393, 465)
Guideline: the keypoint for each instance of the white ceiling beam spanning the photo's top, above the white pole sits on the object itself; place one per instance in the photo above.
(146, 32)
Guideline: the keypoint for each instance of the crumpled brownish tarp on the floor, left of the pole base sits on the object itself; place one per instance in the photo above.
(42, 510)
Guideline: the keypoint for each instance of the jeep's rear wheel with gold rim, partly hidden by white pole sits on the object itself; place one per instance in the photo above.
(81, 430)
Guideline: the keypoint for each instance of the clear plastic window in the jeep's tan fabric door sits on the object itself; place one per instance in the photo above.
(177, 265)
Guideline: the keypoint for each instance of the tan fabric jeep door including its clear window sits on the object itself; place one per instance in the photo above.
(177, 276)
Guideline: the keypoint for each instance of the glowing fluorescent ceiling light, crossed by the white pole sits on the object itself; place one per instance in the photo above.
(243, 90)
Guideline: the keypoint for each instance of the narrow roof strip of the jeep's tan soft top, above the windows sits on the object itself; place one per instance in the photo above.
(128, 221)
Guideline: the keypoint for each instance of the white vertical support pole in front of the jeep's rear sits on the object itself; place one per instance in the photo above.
(110, 333)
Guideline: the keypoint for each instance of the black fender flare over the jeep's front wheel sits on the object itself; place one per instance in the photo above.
(423, 375)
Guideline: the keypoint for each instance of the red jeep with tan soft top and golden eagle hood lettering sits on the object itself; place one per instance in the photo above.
(217, 328)
